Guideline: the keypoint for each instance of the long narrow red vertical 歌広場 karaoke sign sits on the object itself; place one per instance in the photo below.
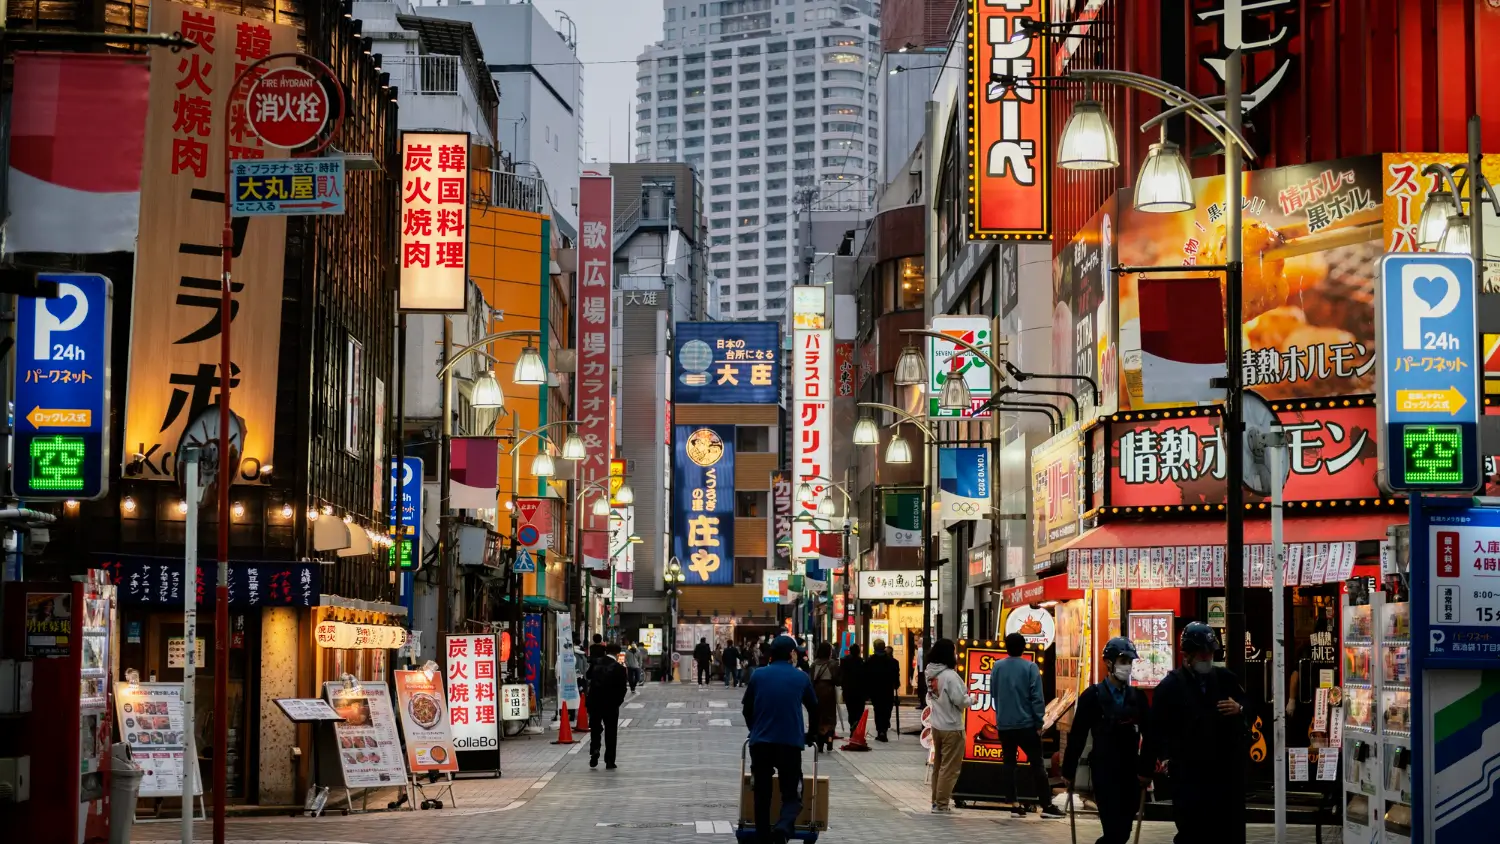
(596, 259)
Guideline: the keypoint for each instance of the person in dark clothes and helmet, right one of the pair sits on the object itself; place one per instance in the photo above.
(1198, 725)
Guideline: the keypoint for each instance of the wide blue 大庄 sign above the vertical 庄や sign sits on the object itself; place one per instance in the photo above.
(727, 364)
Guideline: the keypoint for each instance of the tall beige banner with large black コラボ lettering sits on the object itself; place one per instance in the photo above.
(175, 341)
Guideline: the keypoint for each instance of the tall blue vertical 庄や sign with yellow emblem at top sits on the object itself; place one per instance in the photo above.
(704, 504)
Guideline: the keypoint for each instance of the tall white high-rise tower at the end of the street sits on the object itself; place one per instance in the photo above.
(778, 107)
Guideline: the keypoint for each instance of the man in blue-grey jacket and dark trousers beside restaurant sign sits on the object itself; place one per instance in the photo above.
(1019, 710)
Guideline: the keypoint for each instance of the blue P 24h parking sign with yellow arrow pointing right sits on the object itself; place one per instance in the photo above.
(1430, 376)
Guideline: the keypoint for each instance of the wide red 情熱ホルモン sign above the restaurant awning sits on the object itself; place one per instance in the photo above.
(1181, 461)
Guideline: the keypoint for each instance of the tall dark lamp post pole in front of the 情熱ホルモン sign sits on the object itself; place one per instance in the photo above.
(1234, 410)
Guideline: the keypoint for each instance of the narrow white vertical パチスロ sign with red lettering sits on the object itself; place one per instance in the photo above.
(812, 438)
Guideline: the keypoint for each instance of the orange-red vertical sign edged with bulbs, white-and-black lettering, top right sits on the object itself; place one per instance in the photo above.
(1010, 148)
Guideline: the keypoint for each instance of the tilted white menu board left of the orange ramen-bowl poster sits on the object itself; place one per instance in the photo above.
(370, 744)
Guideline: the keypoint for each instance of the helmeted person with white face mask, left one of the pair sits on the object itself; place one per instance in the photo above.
(1114, 714)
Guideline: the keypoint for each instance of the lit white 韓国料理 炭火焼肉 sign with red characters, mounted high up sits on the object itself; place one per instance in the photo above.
(434, 221)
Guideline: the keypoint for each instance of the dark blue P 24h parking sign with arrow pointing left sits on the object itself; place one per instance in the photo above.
(62, 391)
